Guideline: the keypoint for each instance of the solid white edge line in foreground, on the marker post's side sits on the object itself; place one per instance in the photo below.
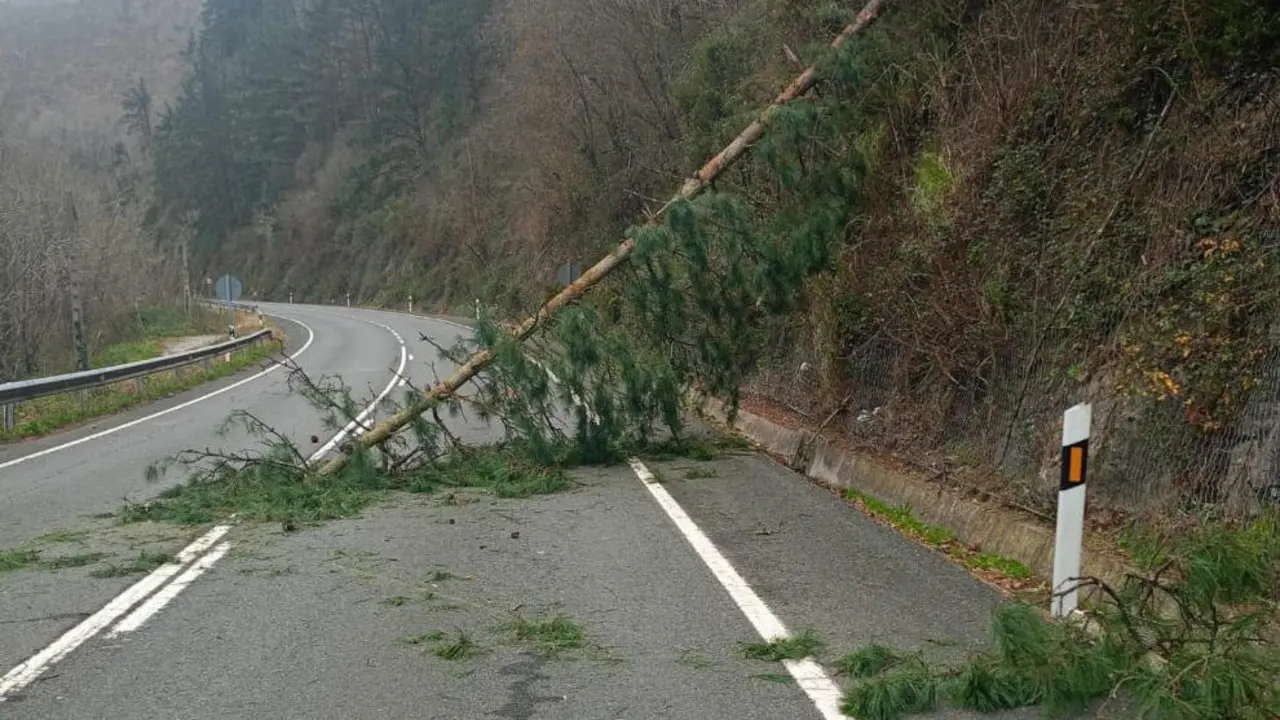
(808, 675)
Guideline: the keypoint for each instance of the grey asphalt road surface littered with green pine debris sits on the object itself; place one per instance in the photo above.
(666, 569)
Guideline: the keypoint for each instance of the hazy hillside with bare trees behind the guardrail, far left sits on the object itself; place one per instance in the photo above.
(75, 183)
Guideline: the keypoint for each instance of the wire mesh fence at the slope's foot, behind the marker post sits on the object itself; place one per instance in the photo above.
(1000, 431)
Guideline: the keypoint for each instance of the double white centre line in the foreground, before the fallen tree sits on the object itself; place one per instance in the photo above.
(39, 664)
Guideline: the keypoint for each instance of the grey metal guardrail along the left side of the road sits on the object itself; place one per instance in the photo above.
(21, 391)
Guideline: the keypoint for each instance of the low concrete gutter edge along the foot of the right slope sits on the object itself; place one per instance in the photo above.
(986, 526)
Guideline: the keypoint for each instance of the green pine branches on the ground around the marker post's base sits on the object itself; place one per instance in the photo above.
(1191, 639)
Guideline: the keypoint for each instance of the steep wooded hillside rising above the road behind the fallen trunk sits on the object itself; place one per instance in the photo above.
(988, 211)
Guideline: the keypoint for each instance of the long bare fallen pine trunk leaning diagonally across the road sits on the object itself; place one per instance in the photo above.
(692, 188)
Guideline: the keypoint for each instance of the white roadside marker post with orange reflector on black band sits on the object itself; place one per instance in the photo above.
(1069, 540)
